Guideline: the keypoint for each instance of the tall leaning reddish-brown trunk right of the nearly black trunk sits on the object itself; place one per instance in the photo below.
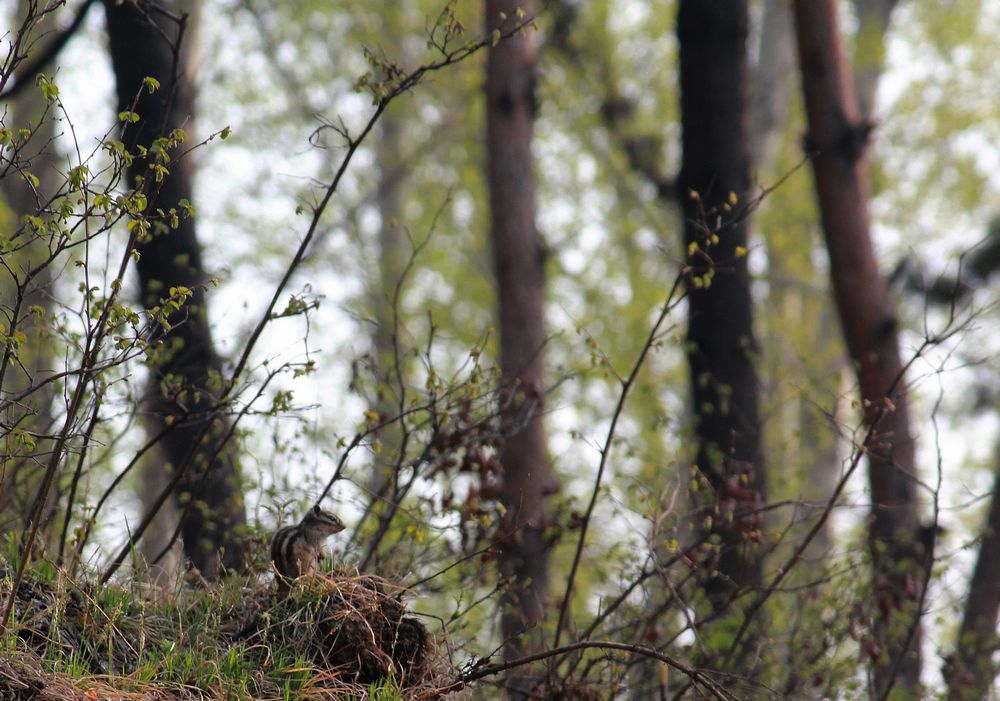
(836, 144)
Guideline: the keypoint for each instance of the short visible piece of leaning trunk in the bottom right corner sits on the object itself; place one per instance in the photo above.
(970, 671)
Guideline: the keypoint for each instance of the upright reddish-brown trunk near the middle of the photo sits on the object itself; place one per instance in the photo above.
(517, 256)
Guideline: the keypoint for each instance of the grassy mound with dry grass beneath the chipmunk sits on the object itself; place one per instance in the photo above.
(330, 637)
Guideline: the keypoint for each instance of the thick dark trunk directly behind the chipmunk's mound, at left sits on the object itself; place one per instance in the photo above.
(209, 495)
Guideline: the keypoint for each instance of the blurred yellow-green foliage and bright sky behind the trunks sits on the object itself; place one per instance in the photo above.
(413, 213)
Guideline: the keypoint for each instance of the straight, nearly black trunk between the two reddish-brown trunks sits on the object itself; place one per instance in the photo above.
(721, 345)
